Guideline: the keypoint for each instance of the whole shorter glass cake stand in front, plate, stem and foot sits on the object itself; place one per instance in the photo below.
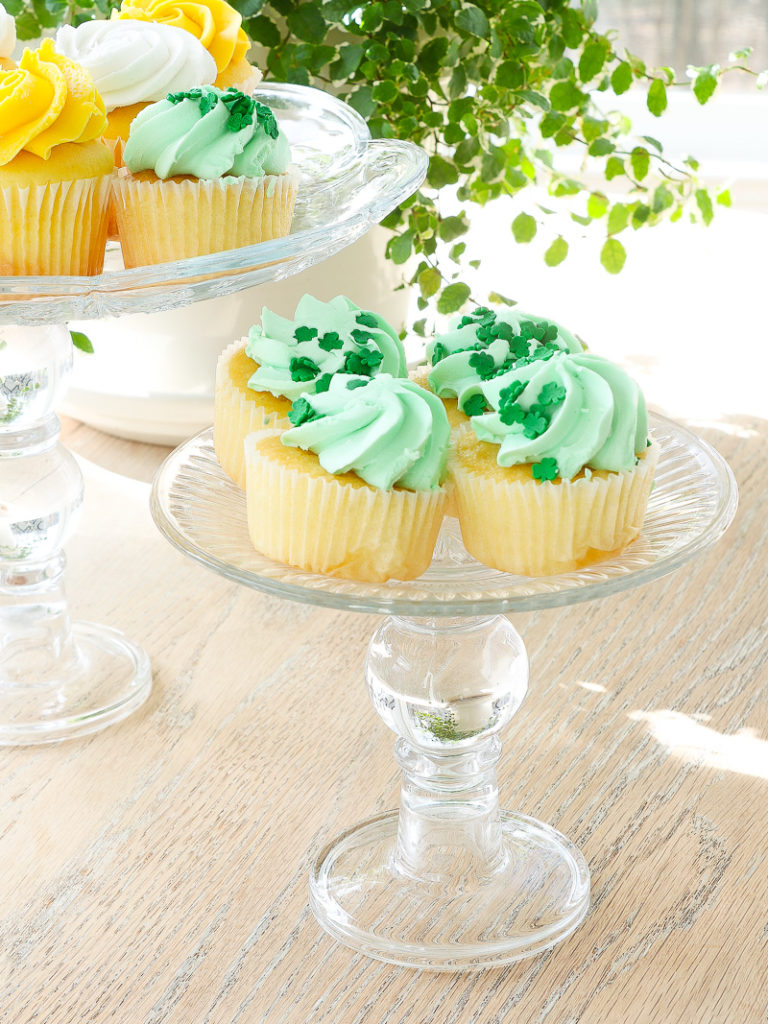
(450, 882)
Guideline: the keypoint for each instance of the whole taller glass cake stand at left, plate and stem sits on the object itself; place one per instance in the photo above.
(60, 680)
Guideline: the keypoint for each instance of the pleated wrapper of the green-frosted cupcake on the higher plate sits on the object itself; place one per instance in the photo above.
(160, 222)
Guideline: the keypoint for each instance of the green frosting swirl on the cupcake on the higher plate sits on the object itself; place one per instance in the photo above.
(208, 134)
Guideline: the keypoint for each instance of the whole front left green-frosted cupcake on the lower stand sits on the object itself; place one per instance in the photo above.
(356, 489)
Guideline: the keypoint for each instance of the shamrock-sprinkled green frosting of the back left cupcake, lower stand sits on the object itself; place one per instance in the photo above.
(324, 338)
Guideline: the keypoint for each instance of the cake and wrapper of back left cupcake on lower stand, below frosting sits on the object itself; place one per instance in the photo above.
(236, 418)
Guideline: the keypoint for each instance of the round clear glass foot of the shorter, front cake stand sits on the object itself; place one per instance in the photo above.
(534, 899)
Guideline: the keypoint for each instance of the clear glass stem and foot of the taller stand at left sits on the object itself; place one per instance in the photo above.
(58, 679)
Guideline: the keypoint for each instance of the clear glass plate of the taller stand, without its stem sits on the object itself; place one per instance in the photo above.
(349, 184)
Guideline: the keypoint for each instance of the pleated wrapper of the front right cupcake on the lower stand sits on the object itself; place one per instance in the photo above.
(533, 529)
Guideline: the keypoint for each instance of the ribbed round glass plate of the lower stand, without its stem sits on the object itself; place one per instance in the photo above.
(695, 498)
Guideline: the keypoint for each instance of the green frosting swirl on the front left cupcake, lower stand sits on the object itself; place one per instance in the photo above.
(386, 430)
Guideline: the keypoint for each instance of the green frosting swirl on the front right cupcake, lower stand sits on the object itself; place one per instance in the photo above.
(564, 414)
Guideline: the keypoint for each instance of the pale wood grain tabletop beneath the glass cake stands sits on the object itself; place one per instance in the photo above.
(158, 872)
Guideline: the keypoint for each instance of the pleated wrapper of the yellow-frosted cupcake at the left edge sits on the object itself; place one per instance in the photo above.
(57, 229)
